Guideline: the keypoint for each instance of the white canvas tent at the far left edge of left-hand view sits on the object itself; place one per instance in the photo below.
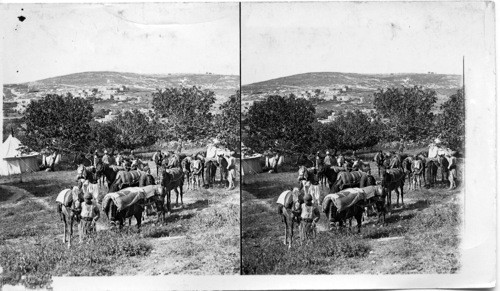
(12, 161)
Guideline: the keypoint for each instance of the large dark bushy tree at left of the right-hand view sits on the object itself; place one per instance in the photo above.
(280, 124)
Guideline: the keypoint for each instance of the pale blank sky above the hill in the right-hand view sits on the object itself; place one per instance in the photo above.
(282, 39)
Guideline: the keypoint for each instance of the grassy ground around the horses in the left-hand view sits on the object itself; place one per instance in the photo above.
(200, 238)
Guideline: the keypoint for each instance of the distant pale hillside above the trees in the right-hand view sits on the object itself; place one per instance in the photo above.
(443, 84)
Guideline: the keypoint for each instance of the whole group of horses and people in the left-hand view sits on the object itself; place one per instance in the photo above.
(107, 182)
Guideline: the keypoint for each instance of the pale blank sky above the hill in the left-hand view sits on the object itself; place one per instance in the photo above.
(59, 39)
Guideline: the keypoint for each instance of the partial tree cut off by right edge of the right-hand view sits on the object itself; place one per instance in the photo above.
(451, 123)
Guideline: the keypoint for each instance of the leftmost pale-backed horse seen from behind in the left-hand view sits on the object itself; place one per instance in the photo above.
(68, 208)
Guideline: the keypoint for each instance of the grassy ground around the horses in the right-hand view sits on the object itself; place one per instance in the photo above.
(423, 237)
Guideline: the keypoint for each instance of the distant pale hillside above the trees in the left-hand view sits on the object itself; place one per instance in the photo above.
(146, 82)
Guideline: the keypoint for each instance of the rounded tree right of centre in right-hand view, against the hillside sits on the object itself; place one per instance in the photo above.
(408, 110)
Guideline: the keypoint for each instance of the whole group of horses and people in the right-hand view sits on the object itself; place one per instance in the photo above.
(350, 176)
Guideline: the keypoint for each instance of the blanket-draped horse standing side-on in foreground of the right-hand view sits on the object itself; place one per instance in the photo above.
(357, 205)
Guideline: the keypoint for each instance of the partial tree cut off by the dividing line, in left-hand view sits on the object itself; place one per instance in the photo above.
(227, 123)
